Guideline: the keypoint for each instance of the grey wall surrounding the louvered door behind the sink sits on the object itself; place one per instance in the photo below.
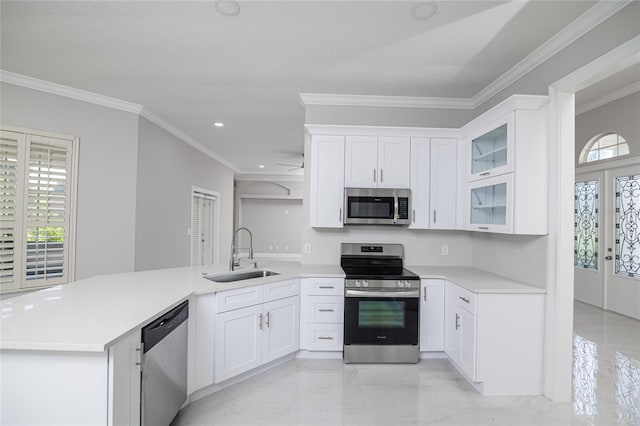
(167, 169)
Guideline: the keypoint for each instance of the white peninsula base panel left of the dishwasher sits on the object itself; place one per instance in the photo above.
(72, 387)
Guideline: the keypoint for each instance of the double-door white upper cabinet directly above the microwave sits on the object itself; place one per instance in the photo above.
(377, 162)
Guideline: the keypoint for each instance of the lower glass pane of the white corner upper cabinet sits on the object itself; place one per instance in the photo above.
(489, 204)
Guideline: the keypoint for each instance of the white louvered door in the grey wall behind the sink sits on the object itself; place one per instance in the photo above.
(202, 230)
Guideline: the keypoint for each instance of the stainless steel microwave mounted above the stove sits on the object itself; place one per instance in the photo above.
(376, 206)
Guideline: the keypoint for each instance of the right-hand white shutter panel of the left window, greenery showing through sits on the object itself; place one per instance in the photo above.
(47, 202)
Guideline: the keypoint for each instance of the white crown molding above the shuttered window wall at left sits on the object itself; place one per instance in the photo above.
(68, 92)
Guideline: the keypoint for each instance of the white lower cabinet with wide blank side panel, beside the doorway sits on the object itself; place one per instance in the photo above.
(496, 339)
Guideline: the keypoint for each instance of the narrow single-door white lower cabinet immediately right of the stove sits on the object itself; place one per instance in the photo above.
(432, 315)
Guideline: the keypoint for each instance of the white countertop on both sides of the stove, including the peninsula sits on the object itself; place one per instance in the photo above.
(91, 314)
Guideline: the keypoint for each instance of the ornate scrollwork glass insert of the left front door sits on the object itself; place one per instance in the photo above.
(586, 225)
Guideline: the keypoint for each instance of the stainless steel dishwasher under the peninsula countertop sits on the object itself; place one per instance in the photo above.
(164, 367)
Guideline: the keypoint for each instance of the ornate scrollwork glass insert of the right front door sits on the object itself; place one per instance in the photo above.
(627, 232)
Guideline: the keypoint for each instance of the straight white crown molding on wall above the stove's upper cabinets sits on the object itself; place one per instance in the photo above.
(384, 101)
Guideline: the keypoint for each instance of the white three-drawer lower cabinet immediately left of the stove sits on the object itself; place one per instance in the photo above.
(322, 314)
